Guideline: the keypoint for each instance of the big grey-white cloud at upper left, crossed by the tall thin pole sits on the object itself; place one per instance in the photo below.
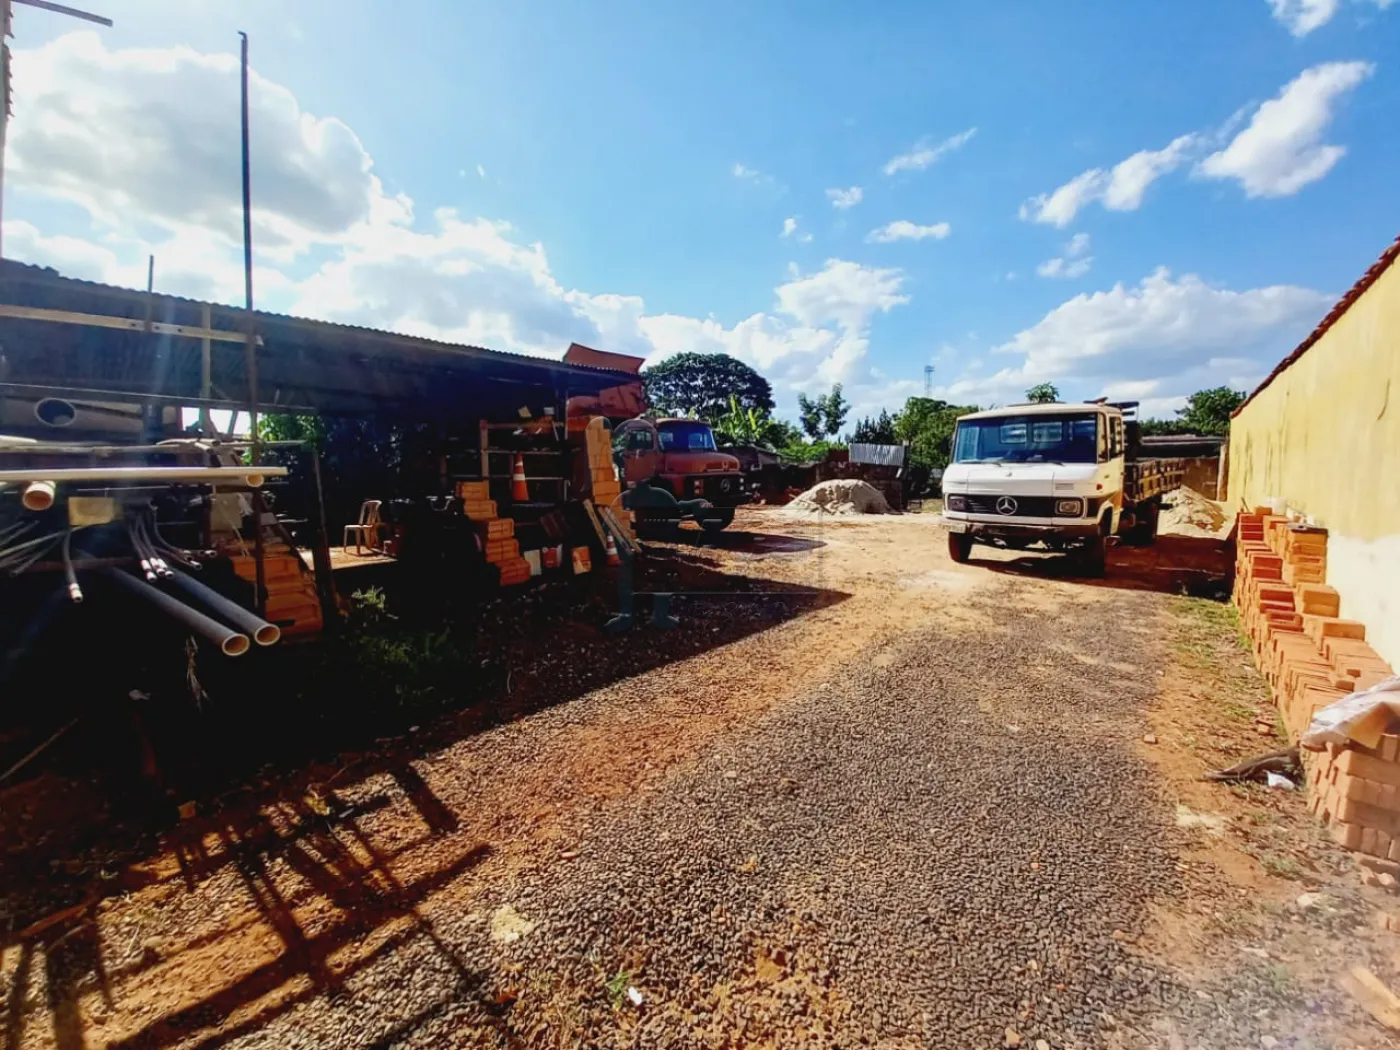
(150, 138)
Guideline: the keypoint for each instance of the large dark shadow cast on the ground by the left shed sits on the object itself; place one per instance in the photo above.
(241, 737)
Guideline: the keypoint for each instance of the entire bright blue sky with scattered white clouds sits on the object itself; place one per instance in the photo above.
(1128, 199)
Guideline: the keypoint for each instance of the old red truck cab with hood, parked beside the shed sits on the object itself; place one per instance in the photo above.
(681, 456)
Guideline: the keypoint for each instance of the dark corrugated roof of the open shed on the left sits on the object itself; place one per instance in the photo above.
(303, 365)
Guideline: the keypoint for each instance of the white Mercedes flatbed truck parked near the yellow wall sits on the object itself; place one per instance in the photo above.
(1062, 477)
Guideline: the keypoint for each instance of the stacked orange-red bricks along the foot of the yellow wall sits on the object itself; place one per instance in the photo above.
(1312, 659)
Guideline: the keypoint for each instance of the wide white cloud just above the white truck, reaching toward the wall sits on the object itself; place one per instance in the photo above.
(1178, 334)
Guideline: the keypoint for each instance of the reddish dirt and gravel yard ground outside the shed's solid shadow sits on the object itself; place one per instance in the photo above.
(908, 804)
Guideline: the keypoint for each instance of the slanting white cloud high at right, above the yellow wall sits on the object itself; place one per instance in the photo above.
(1282, 149)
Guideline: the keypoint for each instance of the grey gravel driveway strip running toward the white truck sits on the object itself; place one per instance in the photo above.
(951, 843)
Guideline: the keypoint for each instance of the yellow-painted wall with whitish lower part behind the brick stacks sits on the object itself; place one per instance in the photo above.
(1325, 436)
